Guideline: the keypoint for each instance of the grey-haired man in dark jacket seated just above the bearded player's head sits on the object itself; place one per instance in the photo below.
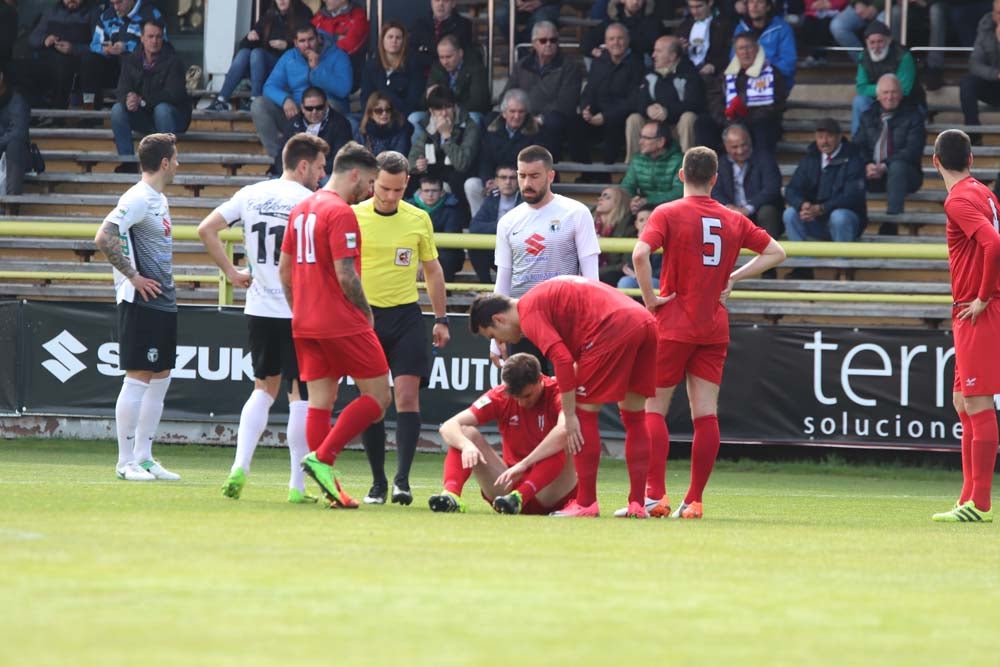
(513, 130)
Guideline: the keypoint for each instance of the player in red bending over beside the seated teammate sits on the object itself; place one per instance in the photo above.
(611, 339)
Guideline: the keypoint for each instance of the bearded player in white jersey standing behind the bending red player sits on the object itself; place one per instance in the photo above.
(547, 235)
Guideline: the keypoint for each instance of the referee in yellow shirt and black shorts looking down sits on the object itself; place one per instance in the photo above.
(396, 239)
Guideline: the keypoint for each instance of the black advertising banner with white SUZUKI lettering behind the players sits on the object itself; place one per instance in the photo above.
(796, 385)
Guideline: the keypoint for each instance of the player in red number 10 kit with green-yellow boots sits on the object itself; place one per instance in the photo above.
(320, 269)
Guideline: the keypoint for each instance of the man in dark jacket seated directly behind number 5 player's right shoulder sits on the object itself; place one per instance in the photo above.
(749, 181)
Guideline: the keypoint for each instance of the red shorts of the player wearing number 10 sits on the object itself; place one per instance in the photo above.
(359, 356)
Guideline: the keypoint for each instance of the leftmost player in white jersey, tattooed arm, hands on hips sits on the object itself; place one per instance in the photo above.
(136, 238)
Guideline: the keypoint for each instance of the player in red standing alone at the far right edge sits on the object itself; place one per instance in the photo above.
(974, 261)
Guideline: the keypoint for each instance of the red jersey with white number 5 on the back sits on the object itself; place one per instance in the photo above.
(701, 240)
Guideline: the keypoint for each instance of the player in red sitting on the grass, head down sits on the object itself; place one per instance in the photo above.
(527, 409)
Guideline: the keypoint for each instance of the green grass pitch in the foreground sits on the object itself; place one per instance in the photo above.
(794, 564)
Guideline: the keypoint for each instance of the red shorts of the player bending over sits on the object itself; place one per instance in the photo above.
(606, 372)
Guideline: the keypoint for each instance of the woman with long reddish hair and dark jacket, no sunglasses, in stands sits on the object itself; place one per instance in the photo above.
(392, 71)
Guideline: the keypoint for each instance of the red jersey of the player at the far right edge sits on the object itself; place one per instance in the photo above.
(970, 207)
